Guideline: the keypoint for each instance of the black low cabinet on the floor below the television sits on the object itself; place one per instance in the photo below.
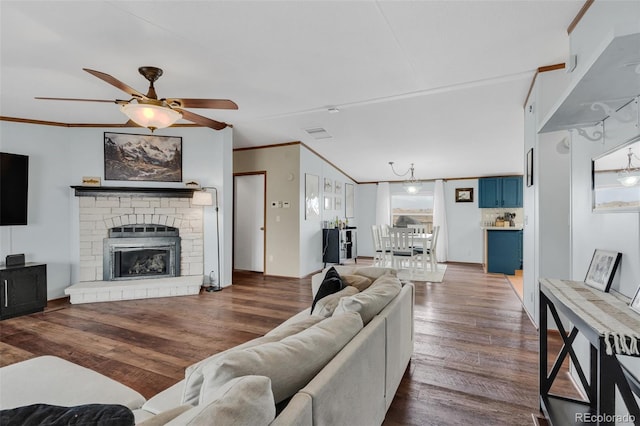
(24, 289)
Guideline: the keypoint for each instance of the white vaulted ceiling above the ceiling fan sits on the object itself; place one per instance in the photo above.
(437, 83)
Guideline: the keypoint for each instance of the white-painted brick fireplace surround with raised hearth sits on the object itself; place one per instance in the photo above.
(100, 213)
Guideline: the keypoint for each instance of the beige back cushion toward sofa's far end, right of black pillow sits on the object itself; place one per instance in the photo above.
(370, 302)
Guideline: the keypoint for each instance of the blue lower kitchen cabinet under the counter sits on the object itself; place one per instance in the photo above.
(504, 251)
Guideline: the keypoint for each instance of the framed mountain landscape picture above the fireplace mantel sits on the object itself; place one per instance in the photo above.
(152, 158)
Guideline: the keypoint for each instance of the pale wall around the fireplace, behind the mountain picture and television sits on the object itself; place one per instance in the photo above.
(59, 157)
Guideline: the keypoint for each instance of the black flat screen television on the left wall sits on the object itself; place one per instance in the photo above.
(14, 186)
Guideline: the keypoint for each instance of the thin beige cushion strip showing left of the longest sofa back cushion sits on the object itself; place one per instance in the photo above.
(193, 373)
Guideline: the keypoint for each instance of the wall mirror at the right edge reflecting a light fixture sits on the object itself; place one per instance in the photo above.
(616, 179)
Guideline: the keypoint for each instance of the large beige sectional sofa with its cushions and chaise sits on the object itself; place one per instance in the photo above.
(340, 366)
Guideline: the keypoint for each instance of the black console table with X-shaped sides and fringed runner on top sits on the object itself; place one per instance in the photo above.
(611, 328)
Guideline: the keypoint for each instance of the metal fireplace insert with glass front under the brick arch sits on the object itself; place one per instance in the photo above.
(141, 251)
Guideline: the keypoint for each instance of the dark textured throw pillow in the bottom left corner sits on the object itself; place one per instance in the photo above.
(81, 415)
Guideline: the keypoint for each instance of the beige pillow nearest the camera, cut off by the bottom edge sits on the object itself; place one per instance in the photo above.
(246, 400)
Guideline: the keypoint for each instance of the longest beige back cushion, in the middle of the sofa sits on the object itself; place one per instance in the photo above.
(290, 363)
